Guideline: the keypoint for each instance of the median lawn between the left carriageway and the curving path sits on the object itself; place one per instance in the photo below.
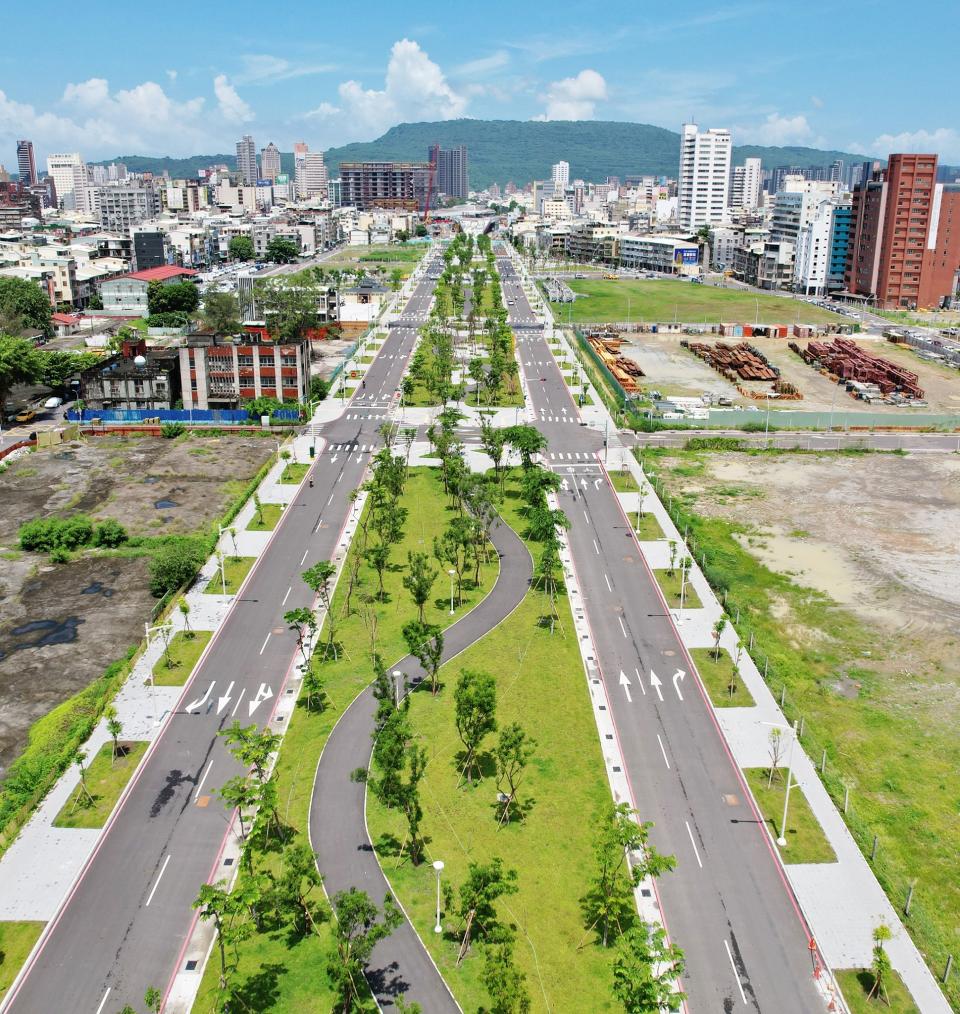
(294, 971)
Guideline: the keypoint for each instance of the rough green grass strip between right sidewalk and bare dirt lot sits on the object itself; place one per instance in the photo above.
(901, 769)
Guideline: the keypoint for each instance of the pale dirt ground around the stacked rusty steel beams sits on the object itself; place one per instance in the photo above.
(674, 371)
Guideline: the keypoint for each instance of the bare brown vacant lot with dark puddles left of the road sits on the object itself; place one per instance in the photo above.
(62, 625)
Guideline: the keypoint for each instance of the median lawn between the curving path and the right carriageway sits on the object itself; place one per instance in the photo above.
(541, 685)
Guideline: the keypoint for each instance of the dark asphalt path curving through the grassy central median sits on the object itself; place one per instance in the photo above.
(345, 855)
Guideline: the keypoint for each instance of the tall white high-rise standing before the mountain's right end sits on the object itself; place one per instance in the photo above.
(704, 182)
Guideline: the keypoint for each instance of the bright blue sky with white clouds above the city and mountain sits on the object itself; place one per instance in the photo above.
(860, 78)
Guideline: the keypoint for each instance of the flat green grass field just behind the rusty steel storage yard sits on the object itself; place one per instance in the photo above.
(605, 300)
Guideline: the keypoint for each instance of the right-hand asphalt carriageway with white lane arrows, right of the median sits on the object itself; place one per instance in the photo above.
(728, 904)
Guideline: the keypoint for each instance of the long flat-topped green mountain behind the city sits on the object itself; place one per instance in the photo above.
(522, 151)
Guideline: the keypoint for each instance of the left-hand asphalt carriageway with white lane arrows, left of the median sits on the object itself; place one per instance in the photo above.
(126, 922)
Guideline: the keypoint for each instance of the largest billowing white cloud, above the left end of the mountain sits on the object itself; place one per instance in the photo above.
(415, 90)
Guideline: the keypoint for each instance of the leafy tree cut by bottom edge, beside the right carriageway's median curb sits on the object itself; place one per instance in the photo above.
(646, 969)
